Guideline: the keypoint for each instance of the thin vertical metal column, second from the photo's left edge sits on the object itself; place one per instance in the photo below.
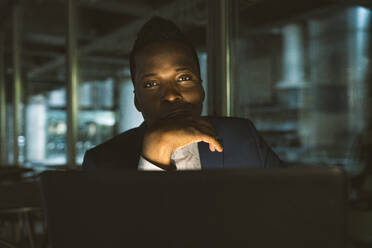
(17, 89)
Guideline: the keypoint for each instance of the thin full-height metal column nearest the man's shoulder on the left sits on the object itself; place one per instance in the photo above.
(72, 87)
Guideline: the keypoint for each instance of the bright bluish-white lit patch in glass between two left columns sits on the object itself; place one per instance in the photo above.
(46, 128)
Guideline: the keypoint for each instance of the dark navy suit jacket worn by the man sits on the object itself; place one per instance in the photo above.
(242, 146)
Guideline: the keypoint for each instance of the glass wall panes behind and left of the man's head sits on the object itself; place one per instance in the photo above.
(105, 33)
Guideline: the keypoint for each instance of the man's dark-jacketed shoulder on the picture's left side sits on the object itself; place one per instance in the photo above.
(112, 153)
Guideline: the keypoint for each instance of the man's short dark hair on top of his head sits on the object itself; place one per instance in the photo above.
(157, 29)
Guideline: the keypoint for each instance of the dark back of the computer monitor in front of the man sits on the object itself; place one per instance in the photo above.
(289, 208)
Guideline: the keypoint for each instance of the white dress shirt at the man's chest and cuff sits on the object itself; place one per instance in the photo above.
(185, 158)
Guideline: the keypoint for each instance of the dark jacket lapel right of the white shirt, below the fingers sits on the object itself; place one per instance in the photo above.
(208, 159)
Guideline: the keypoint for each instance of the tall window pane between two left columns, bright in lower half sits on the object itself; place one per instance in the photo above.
(43, 53)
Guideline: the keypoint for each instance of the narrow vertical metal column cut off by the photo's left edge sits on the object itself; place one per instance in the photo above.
(3, 136)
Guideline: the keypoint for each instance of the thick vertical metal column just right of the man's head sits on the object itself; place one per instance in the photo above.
(219, 57)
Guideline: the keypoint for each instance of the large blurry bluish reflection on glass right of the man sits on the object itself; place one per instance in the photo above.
(304, 85)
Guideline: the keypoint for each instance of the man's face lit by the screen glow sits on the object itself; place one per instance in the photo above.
(167, 82)
